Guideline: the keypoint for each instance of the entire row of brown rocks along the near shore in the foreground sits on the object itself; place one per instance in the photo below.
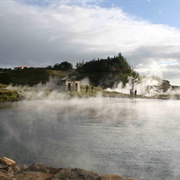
(10, 170)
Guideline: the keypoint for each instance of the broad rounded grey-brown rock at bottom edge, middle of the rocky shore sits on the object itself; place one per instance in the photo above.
(75, 174)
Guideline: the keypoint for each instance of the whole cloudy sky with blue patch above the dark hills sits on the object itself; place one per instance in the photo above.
(39, 33)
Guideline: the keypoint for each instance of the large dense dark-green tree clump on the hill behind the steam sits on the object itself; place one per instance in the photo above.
(106, 72)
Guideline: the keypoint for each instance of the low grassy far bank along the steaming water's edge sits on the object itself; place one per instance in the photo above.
(8, 95)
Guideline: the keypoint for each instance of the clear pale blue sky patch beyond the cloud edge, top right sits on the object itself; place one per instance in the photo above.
(155, 11)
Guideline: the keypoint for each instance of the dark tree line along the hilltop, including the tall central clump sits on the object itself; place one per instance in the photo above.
(101, 72)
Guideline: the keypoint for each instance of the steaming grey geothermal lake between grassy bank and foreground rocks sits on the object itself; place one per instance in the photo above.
(137, 138)
